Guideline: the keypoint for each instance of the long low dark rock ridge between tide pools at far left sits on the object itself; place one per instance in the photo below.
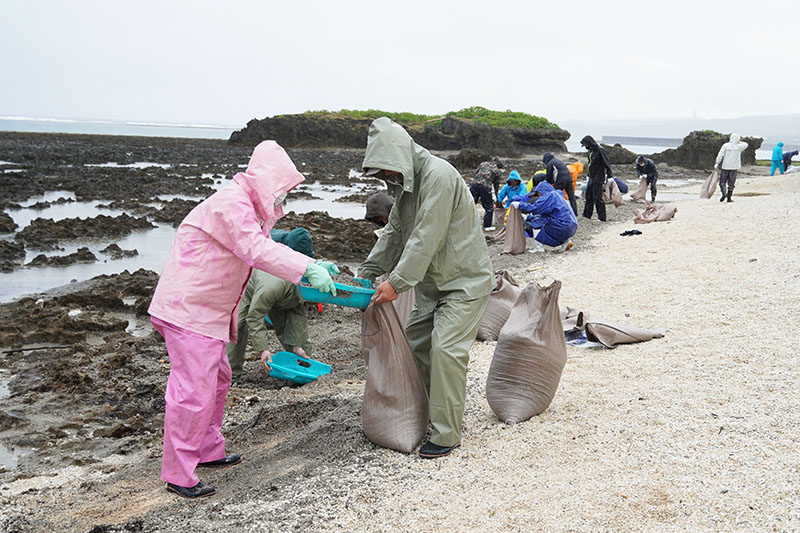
(46, 232)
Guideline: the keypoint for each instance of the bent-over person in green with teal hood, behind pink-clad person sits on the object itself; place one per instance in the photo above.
(268, 295)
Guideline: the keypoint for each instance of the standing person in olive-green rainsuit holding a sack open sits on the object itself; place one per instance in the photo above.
(432, 243)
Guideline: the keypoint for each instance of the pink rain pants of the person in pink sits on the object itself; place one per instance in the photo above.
(199, 379)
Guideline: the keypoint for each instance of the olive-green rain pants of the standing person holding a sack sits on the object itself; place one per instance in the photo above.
(440, 340)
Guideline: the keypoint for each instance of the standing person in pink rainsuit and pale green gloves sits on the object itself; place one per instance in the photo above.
(195, 306)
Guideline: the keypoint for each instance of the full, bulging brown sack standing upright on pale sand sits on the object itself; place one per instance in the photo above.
(529, 356)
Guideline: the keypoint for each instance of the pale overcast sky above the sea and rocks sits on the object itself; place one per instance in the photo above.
(225, 62)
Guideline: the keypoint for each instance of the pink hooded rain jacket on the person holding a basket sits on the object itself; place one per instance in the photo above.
(221, 240)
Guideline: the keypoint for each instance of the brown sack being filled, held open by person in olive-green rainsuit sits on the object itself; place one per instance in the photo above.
(395, 409)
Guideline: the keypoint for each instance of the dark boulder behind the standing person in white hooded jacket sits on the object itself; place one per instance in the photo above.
(699, 150)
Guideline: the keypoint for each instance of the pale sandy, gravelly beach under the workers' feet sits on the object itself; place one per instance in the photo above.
(693, 431)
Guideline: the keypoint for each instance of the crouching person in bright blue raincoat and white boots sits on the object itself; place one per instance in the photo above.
(550, 214)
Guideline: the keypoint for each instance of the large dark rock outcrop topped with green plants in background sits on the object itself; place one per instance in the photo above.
(450, 133)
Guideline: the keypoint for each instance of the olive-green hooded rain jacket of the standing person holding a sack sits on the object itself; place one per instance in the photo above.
(432, 241)
